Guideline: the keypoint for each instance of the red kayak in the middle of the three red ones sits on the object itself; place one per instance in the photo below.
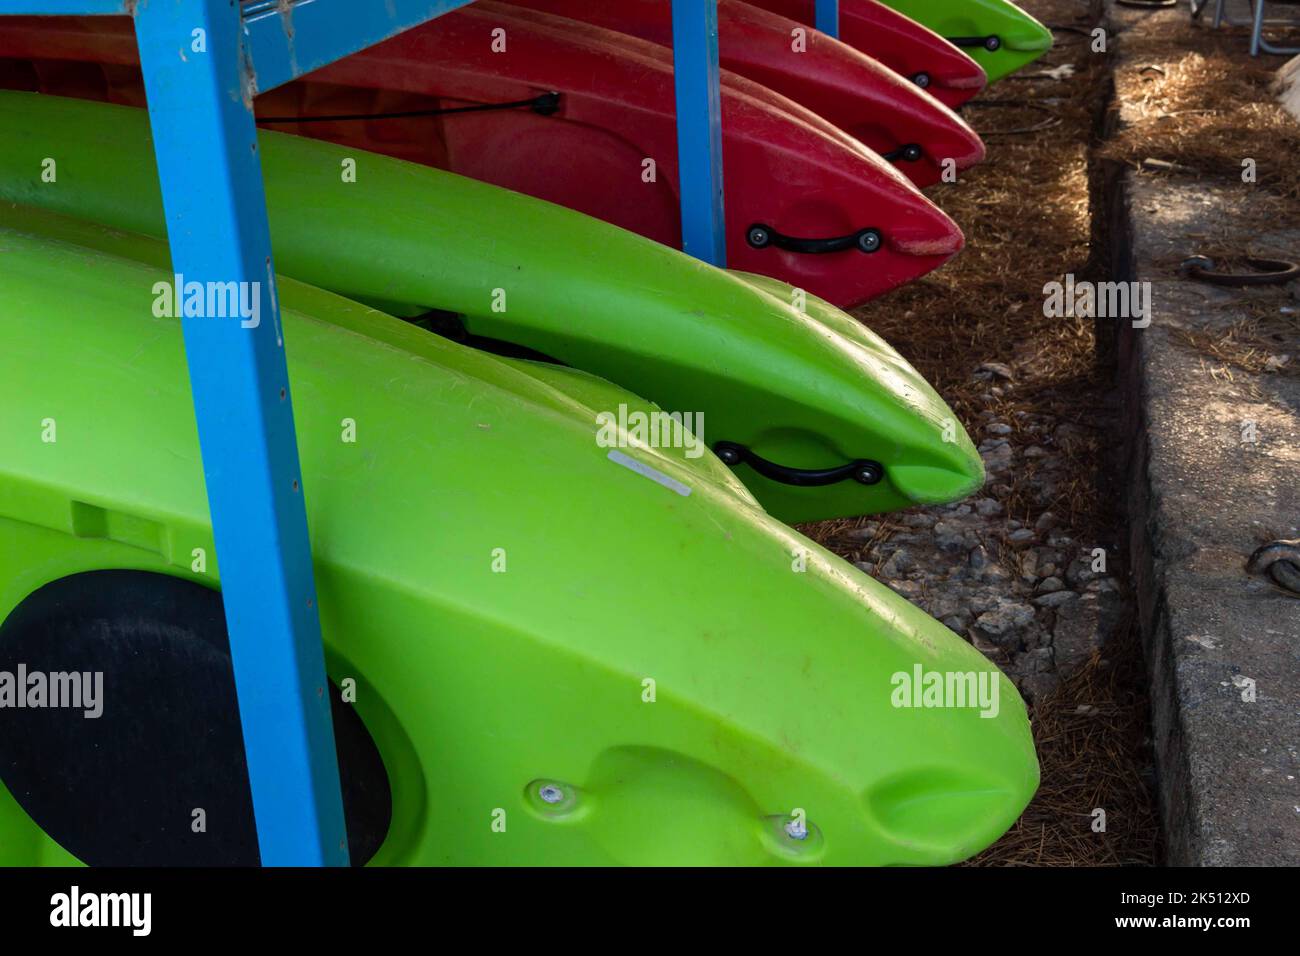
(860, 96)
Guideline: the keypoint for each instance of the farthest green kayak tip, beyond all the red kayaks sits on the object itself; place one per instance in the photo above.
(998, 34)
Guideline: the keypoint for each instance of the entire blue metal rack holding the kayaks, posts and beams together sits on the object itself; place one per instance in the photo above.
(203, 63)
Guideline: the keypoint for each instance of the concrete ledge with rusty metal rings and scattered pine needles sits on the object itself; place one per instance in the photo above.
(1214, 473)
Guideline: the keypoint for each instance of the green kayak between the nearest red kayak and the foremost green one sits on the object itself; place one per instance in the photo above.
(818, 416)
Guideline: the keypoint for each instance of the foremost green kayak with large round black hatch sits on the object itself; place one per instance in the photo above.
(695, 685)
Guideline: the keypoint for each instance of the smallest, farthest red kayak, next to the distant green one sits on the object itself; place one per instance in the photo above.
(899, 42)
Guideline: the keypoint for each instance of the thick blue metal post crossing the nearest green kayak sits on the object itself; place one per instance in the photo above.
(201, 109)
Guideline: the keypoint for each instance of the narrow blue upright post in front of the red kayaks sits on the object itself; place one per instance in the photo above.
(700, 137)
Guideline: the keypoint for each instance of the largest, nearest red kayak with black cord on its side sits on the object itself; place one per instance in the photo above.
(574, 114)
